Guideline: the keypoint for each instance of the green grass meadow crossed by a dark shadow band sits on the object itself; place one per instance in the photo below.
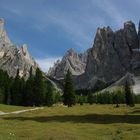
(87, 122)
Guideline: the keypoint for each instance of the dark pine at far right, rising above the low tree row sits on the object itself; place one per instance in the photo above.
(128, 94)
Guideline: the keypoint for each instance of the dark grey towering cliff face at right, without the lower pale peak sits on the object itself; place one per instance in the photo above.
(112, 56)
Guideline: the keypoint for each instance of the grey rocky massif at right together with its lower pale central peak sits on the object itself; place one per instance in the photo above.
(113, 59)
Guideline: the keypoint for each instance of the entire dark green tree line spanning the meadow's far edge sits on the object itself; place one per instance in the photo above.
(37, 91)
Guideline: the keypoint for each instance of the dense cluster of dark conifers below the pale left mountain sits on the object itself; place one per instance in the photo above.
(36, 91)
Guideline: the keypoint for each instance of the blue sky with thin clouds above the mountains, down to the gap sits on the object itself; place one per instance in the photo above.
(51, 27)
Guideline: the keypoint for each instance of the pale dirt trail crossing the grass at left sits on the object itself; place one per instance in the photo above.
(19, 111)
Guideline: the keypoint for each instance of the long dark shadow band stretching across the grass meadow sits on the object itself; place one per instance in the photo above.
(89, 118)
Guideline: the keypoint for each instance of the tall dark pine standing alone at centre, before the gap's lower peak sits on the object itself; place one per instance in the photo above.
(69, 93)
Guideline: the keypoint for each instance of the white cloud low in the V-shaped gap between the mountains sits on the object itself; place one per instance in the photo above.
(46, 63)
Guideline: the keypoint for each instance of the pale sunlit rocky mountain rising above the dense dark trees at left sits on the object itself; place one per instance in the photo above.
(13, 58)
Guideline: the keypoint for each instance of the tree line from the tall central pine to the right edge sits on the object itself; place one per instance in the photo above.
(123, 96)
